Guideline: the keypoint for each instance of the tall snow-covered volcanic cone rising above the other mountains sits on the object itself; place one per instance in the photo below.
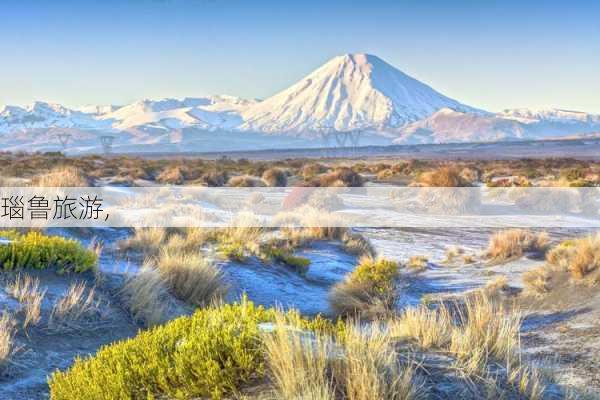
(348, 92)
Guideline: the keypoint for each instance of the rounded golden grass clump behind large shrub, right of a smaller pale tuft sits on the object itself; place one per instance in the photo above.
(191, 277)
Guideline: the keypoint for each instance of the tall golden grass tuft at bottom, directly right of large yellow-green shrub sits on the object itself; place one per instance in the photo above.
(298, 363)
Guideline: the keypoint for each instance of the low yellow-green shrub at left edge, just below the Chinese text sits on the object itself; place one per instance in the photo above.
(38, 251)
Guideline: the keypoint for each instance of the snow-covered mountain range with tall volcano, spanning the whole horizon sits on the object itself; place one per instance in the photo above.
(350, 93)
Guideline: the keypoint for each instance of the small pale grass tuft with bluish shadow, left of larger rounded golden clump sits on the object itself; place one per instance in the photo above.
(144, 296)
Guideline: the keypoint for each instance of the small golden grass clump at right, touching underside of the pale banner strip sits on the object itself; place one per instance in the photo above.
(513, 243)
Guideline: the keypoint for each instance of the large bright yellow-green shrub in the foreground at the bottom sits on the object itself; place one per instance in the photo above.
(211, 354)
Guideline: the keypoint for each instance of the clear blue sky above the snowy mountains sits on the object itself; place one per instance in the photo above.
(488, 54)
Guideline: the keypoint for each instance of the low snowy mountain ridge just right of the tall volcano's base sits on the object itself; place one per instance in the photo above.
(449, 126)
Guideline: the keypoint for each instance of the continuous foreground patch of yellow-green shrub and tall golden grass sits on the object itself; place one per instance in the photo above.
(230, 351)
